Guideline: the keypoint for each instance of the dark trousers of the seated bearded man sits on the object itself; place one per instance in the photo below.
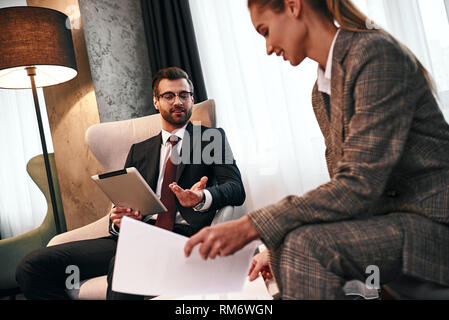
(44, 273)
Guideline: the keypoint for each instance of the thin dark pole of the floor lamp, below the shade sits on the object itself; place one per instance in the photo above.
(32, 73)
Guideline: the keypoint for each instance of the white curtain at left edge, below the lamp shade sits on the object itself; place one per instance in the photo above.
(22, 204)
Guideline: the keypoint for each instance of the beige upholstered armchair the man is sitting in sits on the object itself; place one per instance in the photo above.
(110, 144)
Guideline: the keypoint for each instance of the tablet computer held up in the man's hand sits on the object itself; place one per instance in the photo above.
(128, 189)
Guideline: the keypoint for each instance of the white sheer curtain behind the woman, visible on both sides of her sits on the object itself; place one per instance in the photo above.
(265, 105)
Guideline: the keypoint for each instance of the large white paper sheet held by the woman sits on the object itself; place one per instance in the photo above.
(150, 261)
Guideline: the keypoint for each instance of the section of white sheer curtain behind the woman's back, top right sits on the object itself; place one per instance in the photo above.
(422, 25)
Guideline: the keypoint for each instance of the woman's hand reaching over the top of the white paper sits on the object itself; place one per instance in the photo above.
(222, 239)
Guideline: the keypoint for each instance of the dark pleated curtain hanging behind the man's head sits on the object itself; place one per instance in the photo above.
(171, 40)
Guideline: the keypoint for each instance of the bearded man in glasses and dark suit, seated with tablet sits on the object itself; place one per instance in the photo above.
(192, 179)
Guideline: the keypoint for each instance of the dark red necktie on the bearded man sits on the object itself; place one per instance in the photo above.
(166, 220)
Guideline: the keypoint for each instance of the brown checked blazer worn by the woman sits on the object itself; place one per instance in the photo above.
(387, 152)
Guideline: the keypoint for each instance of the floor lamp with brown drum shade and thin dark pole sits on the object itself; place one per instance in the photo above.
(36, 50)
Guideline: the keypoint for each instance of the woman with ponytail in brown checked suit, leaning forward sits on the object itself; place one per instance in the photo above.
(387, 152)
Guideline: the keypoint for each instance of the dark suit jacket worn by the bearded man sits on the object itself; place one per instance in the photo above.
(224, 179)
